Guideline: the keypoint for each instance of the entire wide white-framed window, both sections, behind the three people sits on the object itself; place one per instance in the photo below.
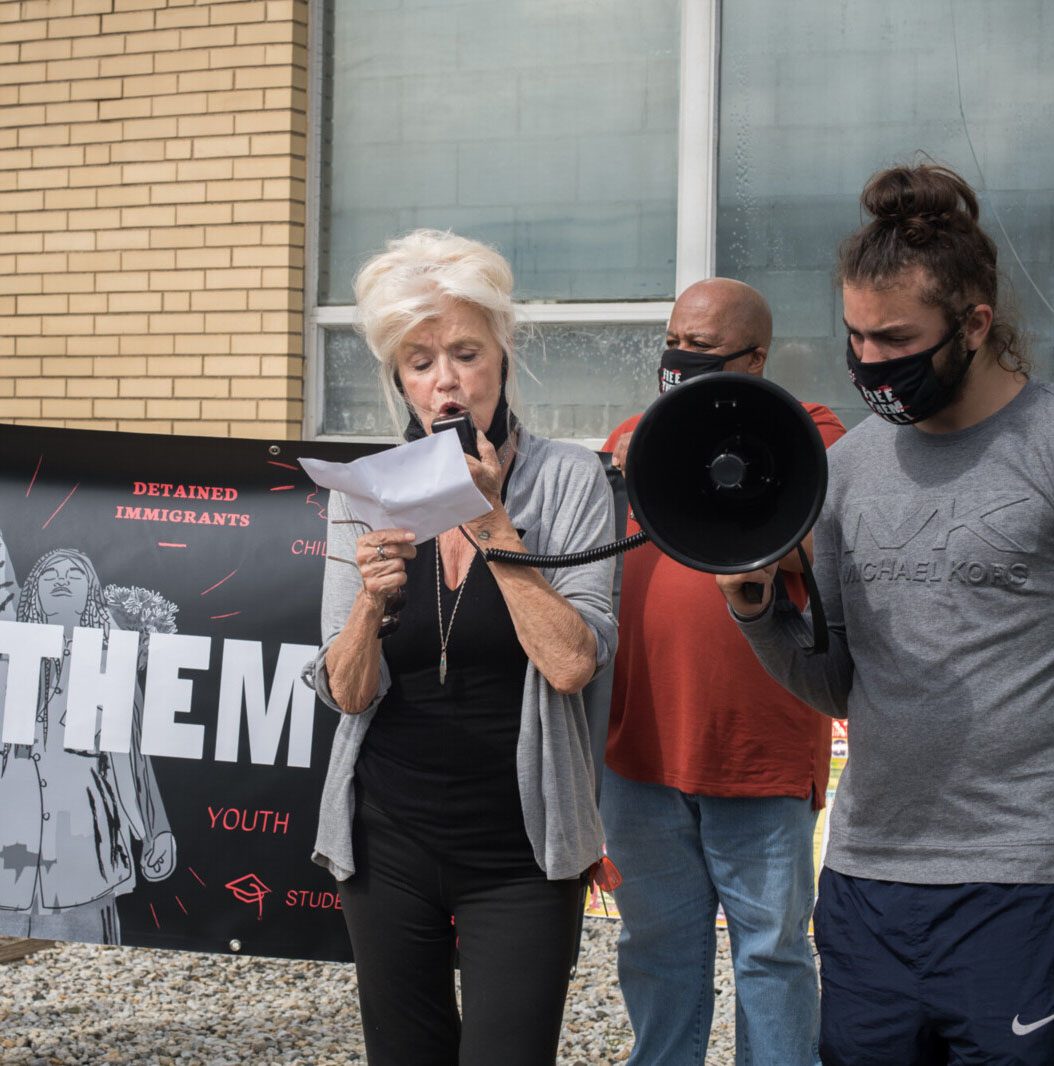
(611, 157)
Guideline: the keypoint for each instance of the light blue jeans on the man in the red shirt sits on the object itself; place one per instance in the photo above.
(680, 855)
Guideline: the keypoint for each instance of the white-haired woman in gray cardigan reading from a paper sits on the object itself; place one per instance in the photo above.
(459, 813)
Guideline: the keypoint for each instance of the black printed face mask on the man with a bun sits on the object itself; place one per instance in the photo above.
(907, 390)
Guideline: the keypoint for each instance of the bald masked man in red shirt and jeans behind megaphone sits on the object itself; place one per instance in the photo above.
(715, 773)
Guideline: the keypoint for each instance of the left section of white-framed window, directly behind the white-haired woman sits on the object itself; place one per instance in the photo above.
(553, 132)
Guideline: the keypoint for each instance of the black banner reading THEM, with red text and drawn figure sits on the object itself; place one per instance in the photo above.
(161, 760)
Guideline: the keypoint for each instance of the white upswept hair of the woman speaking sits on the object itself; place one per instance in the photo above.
(402, 287)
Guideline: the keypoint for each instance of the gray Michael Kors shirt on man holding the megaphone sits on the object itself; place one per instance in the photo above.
(935, 562)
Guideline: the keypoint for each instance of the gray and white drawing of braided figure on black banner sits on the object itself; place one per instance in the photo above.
(71, 815)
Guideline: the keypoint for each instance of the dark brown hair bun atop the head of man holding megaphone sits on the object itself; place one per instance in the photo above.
(921, 202)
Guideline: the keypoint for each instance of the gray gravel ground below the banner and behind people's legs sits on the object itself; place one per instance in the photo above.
(82, 1005)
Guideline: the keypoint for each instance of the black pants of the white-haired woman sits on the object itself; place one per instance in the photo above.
(515, 935)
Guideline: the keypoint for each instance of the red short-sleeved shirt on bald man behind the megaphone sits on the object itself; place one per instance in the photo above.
(692, 707)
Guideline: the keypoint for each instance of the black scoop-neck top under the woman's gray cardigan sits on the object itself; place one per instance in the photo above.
(441, 760)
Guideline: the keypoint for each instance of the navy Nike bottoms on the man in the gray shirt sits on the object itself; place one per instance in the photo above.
(935, 975)
